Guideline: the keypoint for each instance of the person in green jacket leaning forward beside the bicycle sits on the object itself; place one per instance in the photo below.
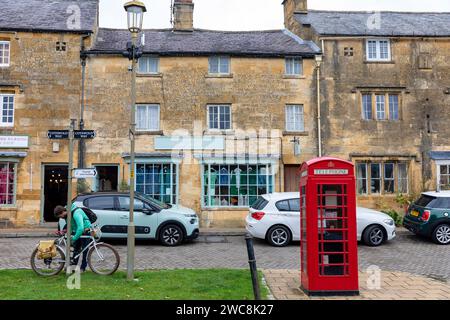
(80, 226)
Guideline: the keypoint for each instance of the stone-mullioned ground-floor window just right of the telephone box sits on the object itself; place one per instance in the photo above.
(382, 177)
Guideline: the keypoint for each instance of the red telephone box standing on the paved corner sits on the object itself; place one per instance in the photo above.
(329, 252)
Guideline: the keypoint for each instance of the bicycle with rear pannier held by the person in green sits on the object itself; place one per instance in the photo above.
(102, 258)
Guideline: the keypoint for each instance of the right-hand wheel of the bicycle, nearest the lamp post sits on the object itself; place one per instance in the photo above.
(103, 259)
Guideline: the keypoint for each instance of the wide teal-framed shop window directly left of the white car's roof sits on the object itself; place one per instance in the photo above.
(235, 185)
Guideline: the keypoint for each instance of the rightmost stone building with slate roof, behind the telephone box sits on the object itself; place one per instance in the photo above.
(385, 97)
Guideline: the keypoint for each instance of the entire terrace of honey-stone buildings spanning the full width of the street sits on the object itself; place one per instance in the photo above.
(222, 116)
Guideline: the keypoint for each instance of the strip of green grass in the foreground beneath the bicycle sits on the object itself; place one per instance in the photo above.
(207, 284)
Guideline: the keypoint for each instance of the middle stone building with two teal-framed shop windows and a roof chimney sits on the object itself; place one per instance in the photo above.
(222, 117)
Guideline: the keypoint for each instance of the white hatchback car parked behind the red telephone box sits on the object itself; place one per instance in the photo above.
(276, 218)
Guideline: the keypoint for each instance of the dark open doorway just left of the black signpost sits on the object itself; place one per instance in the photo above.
(55, 189)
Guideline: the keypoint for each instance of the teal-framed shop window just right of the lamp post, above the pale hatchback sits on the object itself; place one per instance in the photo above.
(158, 181)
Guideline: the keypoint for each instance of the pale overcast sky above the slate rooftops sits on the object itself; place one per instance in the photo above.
(250, 14)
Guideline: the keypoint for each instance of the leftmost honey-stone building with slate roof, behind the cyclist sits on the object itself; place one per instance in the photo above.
(40, 89)
